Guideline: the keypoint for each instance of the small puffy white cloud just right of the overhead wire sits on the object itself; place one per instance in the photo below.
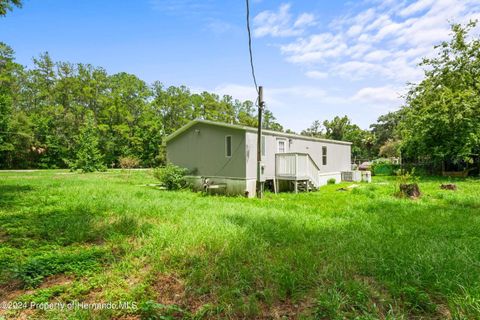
(281, 23)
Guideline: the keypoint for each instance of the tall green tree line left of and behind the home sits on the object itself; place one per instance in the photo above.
(44, 110)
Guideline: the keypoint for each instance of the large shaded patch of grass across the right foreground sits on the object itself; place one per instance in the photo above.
(421, 254)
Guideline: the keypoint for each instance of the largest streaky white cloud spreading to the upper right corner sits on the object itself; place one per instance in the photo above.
(384, 41)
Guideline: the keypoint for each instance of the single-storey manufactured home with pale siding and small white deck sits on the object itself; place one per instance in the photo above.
(224, 156)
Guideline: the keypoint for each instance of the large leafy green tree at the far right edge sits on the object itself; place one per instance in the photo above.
(442, 113)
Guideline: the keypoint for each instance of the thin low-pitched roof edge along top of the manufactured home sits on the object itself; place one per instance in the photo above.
(250, 129)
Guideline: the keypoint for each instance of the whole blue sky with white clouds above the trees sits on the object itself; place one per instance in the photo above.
(316, 59)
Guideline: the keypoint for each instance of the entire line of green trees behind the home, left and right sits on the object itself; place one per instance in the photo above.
(60, 114)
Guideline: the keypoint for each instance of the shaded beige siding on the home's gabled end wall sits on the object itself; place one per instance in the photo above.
(201, 149)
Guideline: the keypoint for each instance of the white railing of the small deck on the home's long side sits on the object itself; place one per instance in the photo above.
(296, 166)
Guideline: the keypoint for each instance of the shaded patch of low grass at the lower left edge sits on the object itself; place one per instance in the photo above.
(38, 245)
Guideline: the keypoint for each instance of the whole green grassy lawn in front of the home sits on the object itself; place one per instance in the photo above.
(100, 238)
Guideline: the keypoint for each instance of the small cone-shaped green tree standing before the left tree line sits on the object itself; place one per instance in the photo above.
(88, 156)
